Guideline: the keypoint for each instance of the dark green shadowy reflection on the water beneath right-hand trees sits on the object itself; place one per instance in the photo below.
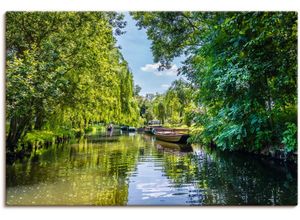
(237, 178)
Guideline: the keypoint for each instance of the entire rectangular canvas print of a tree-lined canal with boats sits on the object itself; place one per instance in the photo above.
(151, 108)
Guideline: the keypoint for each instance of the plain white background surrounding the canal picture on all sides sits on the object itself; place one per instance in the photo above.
(153, 213)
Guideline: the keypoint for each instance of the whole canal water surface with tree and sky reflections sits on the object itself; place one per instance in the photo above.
(135, 169)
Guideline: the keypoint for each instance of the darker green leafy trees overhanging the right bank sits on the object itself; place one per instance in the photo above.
(245, 68)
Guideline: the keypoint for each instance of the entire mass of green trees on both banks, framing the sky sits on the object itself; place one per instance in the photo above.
(65, 72)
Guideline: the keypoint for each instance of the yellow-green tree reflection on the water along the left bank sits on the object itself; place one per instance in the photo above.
(84, 174)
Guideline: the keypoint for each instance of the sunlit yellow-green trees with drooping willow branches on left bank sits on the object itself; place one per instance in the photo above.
(64, 71)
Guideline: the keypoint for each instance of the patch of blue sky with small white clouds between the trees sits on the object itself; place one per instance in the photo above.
(136, 51)
